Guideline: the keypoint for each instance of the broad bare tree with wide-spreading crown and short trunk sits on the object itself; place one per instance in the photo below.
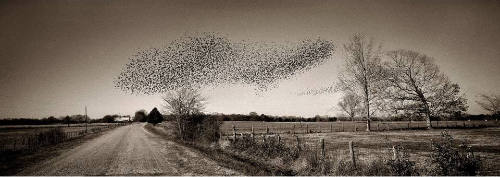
(414, 80)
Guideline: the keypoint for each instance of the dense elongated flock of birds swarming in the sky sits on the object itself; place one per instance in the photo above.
(211, 59)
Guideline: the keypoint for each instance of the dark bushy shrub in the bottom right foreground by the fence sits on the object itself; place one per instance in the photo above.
(451, 158)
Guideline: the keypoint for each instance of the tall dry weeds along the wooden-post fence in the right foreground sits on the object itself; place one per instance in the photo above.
(307, 156)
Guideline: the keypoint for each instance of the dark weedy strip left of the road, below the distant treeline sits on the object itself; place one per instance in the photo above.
(34, 141)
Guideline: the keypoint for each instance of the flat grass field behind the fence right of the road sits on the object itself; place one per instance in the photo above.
(377, 144)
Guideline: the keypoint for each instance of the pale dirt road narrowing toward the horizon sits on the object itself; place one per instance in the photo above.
(128, 150)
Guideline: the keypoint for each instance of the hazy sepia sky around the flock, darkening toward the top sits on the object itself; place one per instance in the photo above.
(58, 56)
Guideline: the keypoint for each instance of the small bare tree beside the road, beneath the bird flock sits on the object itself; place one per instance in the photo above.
(183, 103)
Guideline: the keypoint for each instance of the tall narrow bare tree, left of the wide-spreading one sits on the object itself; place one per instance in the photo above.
(363, 70)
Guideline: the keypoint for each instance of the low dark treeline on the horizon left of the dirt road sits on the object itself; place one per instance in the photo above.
(74, 119)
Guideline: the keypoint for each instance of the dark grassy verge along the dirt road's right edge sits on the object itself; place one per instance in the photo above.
(245, 165)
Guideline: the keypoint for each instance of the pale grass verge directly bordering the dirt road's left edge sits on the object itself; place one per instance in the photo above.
(13, 162)
